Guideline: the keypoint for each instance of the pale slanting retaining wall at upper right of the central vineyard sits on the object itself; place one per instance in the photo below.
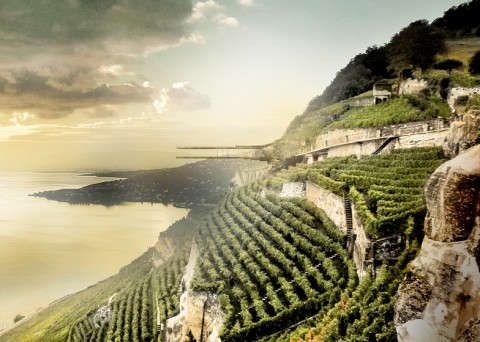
(329, 202)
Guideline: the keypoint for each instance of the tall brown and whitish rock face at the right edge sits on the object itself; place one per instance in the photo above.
(439, 299)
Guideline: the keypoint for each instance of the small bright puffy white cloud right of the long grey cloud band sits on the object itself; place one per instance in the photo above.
(181, 97)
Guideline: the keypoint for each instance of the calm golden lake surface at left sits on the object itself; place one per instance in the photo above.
(49, 249)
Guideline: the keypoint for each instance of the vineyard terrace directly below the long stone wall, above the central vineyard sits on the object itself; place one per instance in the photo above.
(387, 189)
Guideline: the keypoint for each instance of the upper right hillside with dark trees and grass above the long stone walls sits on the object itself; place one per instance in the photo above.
(416, 51)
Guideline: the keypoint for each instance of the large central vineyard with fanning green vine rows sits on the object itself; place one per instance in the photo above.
(273, 261)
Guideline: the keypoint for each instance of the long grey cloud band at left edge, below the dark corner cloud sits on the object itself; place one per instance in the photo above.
(54, 94)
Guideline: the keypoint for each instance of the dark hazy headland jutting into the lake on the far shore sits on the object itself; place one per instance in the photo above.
(183, 186)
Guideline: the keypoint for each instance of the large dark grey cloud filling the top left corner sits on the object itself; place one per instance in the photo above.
(109, 25)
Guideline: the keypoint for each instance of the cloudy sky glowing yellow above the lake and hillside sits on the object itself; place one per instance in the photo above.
(118, 84)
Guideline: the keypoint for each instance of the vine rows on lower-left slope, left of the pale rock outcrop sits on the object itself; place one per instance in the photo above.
(137, 311)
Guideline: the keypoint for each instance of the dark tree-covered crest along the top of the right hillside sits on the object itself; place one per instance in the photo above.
(414, 46)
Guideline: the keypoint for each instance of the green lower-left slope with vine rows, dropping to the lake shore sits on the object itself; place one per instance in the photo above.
(135, 291)
